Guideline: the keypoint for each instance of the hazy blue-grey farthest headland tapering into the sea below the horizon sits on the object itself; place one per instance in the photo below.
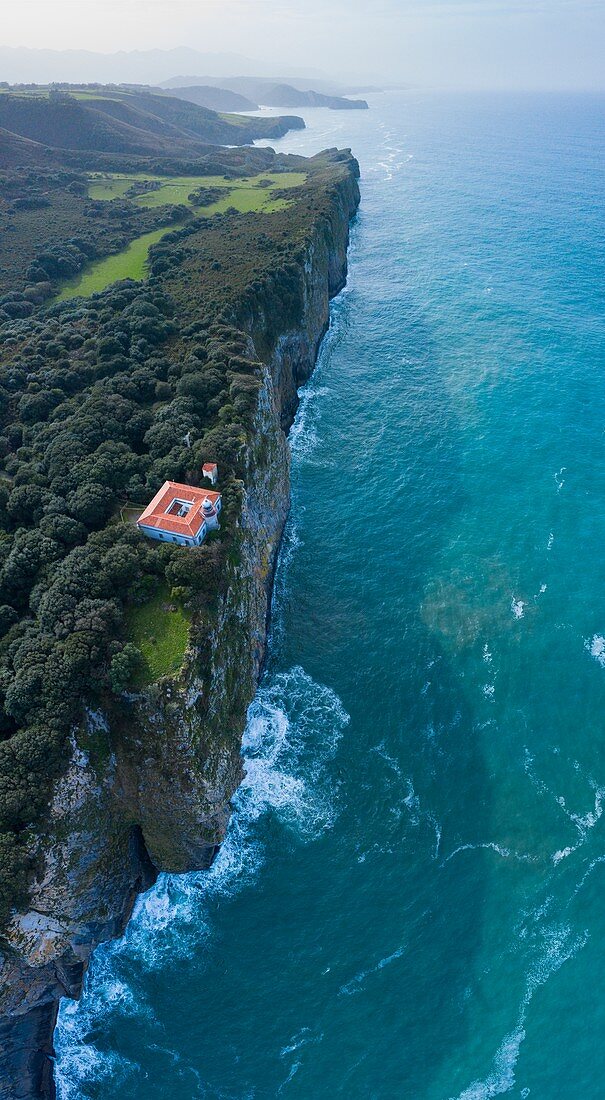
(252, 92)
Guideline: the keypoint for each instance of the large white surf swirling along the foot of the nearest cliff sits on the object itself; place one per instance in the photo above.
(293, 731)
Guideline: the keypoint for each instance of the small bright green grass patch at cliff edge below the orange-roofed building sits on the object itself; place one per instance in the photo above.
(160, 629)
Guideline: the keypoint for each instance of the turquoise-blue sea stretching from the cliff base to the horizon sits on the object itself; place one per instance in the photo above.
(411, 899)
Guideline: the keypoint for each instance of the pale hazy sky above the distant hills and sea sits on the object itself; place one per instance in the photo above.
(466, 43)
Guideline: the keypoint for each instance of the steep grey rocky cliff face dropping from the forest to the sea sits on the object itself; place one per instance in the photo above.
(152, 793)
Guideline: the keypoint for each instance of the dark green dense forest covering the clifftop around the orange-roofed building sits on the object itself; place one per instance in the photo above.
(103, 399)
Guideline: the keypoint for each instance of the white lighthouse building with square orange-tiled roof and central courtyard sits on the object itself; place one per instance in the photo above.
(182, 514)
